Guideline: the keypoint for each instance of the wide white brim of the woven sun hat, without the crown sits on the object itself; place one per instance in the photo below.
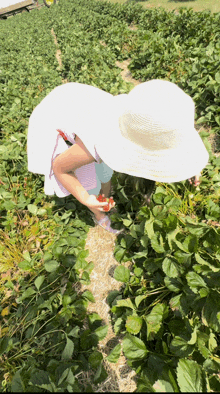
(173, 164)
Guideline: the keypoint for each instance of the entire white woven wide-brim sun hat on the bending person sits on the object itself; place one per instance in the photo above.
(150, 133)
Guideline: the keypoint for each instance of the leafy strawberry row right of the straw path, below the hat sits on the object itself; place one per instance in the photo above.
(169, 303)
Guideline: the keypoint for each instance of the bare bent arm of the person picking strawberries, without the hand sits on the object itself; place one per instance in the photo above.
(66, 163)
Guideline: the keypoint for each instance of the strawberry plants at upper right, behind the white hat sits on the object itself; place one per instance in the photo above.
(182, 48)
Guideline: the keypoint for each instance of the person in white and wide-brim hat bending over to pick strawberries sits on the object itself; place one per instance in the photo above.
(146, 133)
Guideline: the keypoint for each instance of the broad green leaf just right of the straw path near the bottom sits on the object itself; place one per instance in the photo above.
(134, 348)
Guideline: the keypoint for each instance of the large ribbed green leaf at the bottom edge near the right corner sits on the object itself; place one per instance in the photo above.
(189, 377)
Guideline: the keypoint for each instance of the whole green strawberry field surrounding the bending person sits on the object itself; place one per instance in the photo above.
(168, 311)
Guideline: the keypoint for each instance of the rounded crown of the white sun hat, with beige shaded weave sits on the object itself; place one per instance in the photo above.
(158, 115)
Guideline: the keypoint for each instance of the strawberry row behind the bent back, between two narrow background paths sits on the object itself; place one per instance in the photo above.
(84, 58)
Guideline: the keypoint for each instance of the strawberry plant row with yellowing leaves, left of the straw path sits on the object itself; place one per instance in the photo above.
(43, 341)
